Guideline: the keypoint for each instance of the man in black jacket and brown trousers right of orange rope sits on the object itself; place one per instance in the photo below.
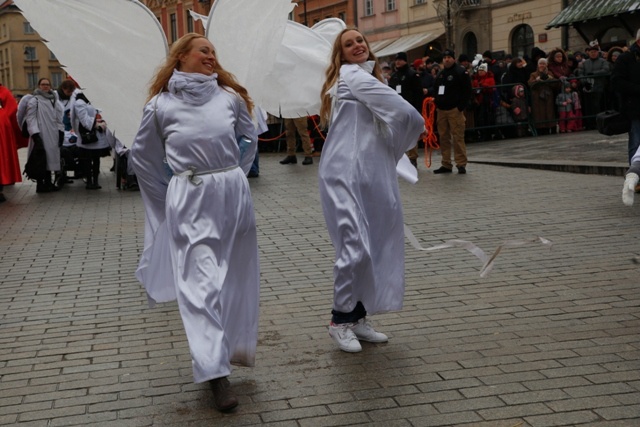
(453, 93)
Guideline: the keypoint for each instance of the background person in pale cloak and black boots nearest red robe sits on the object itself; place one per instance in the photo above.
(44, 123)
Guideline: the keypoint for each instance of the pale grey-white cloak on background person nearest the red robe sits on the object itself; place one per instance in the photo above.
(45, 117)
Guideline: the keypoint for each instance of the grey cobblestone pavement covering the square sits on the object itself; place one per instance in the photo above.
(550, 338)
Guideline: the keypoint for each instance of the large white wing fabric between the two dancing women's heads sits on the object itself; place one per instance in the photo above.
(280, 62)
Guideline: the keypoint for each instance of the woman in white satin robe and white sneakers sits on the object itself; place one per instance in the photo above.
(371, 127)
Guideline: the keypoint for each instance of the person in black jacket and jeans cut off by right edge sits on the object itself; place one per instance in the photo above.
(625, 79)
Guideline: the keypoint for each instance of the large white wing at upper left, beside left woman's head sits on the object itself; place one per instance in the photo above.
(111, 48)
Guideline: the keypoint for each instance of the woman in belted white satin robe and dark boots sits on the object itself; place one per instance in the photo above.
(200, 232)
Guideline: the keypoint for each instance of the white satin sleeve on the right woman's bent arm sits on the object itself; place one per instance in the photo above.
(402, 119)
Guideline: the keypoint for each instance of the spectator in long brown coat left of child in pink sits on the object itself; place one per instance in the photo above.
(542, 83)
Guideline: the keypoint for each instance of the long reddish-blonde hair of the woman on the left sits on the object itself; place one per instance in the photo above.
(182, 46)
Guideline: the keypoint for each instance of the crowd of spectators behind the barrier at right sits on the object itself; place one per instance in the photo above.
(540, 93)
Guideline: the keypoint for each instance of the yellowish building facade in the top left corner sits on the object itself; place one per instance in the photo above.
(24, 58)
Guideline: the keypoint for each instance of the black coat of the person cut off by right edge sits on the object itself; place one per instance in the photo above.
(626, 81)
